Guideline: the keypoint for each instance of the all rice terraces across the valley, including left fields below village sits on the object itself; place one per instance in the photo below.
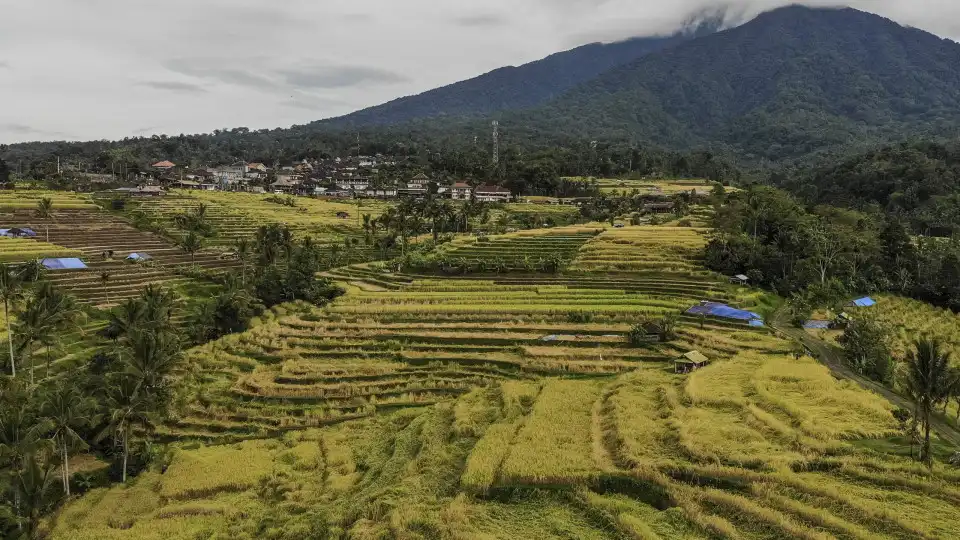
(560, 382)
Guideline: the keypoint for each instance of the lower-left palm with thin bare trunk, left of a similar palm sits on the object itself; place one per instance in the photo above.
(67, 409)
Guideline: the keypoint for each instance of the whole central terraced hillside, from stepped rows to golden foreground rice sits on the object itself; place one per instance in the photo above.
(513, 407)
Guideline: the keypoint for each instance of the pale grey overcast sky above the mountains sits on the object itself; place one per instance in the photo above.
(106, 69)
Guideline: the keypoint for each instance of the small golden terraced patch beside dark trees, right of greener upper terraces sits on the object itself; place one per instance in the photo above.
(644, 249)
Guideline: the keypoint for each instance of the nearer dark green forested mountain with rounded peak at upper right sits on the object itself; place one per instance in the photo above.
(793, 81)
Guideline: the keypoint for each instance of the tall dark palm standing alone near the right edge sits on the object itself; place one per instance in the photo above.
(930, 381)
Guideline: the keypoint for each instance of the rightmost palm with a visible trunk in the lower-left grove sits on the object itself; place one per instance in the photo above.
(128, 408)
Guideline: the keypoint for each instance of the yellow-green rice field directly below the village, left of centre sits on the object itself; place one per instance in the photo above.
(238, 215)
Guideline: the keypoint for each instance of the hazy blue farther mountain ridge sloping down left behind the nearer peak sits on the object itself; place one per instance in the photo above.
(529, 85)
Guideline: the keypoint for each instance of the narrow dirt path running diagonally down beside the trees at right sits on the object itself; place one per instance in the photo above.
(832, 357)
